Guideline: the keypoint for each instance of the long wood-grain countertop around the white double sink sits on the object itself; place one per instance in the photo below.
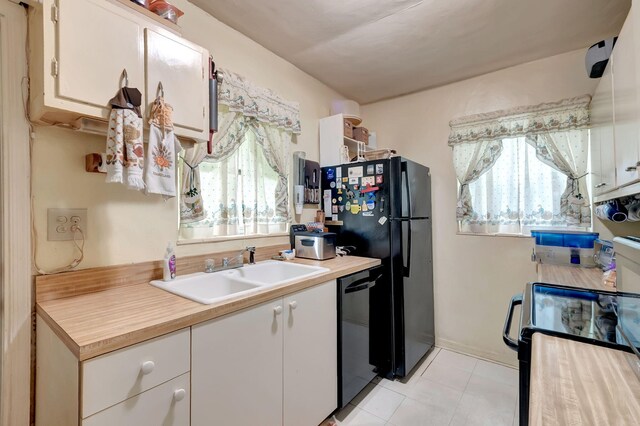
(95, 323)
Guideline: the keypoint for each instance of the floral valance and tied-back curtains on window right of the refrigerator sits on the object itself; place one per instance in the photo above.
(556, 130)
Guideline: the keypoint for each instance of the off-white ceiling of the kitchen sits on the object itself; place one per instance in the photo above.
(370, 50)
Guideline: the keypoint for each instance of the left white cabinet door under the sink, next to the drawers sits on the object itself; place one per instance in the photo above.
(236, 368)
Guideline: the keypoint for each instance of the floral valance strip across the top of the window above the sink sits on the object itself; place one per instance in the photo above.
(242, 96)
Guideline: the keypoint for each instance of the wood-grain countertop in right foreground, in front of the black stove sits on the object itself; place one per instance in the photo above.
(574, 383)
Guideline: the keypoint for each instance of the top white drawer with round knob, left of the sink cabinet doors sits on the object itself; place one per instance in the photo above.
(116, 376)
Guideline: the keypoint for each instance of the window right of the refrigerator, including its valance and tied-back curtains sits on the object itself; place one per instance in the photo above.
(523, 168)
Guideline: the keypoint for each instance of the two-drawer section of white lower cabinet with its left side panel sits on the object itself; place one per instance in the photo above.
(146, 384)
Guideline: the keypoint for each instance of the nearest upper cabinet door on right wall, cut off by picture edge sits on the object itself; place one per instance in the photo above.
(626, 105)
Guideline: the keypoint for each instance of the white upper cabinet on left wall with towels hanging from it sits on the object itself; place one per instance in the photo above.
(79, 50)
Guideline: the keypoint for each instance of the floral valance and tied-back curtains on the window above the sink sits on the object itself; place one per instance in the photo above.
(246, 114)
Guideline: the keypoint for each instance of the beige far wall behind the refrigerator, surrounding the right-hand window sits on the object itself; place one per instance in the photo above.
(475, 276)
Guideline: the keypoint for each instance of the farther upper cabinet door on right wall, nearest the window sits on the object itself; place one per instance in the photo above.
(603, 166)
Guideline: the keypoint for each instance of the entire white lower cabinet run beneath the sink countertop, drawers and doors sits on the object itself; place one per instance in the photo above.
(274, 364)
